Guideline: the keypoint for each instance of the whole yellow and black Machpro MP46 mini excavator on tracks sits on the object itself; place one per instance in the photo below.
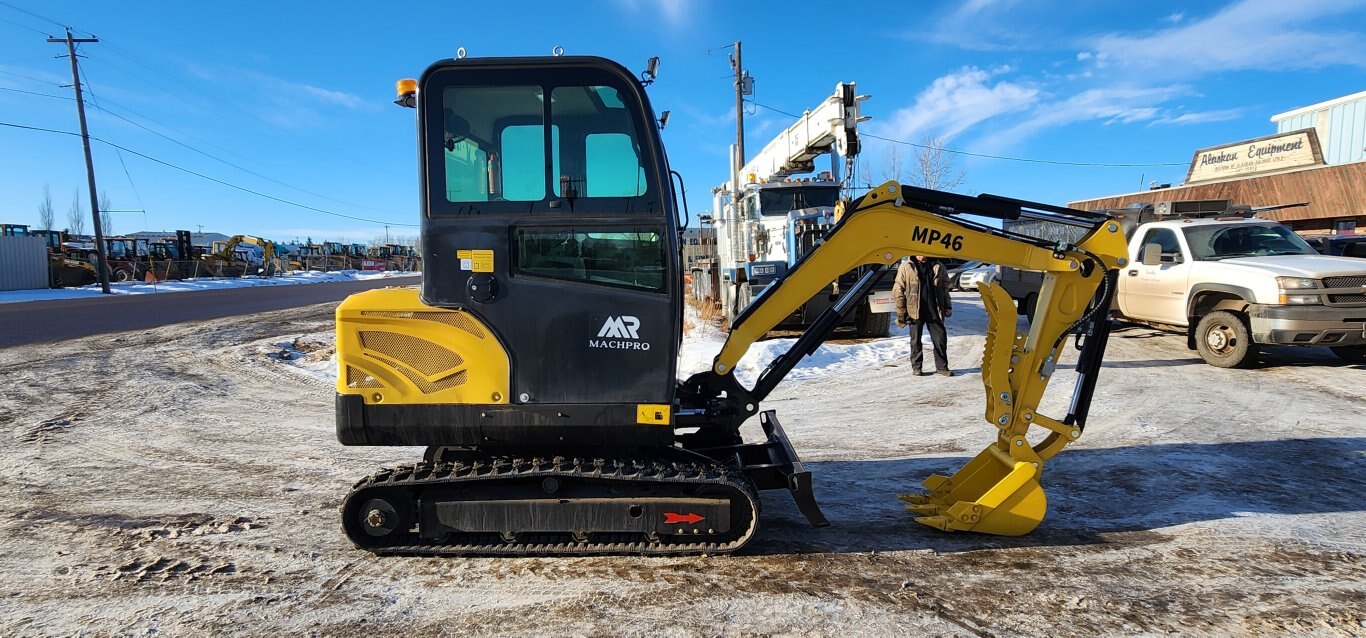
(538, 363)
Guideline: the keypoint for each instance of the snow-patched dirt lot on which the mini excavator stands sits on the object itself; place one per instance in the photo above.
(185, 482)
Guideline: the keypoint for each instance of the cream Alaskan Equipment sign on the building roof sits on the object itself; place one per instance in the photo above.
(1279, 152)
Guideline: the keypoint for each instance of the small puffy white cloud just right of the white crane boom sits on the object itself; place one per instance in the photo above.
(956, 103)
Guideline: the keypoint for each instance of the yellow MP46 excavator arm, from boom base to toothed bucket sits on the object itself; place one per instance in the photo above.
(996, 493)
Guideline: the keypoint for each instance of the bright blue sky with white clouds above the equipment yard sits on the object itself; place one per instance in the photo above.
(293, 100)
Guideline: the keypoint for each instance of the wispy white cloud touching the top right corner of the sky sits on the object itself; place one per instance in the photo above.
(1249, 35)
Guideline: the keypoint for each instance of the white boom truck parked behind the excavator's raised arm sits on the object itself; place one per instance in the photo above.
(767, 221)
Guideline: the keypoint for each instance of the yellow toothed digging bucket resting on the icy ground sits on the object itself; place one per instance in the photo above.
(994, 494)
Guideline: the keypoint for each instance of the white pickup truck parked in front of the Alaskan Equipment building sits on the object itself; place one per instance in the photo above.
(1234, 285)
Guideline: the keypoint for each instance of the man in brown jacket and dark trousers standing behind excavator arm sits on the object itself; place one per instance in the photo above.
(921, 294)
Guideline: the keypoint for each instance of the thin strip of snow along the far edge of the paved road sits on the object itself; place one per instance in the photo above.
(195, 285)
